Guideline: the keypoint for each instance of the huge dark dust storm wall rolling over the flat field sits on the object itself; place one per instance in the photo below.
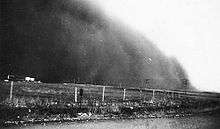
(66, 40)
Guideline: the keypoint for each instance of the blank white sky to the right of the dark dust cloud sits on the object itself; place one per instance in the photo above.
(186, 29)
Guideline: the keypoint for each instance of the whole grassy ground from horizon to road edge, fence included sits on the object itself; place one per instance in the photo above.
(31, 102)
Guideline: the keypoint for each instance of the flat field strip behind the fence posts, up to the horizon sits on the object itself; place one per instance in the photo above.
(111, 93)
